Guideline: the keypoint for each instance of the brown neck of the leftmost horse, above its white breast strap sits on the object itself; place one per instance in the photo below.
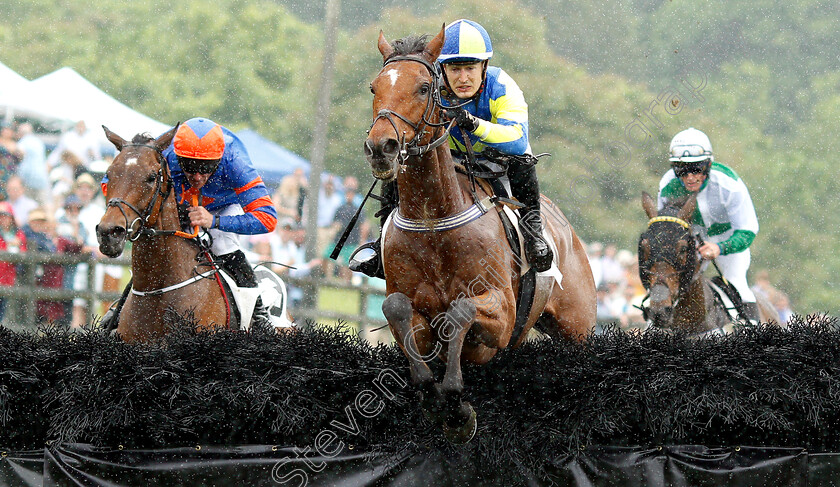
(163, 260)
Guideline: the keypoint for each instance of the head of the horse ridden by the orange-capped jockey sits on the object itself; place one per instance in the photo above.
(138, 182)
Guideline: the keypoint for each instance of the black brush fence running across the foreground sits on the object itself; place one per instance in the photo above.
(321, 390)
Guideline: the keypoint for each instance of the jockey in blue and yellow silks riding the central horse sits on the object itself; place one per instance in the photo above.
(486, 103)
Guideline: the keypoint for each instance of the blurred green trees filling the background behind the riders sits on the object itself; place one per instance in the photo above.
(608, 85)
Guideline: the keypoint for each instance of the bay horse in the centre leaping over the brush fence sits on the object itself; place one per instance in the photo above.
(452, 286)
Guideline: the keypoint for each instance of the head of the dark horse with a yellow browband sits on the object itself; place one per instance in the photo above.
(667, 256)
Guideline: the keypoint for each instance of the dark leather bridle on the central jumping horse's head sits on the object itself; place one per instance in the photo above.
(414, 147)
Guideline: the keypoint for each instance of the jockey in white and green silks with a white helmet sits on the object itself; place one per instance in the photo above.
(725, 216)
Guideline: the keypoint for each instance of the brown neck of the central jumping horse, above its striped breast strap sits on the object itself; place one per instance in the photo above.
(429, 186)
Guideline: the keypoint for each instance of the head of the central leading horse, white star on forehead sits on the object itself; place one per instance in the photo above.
(406, 103)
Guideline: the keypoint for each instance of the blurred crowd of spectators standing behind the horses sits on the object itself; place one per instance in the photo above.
(52, 203)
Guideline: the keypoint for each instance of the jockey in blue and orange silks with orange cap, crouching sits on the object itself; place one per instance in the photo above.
(209, 162)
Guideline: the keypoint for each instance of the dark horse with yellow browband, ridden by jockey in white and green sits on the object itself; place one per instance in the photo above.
(681, 297)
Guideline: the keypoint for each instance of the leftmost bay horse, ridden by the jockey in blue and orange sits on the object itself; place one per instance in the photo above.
(164, 261)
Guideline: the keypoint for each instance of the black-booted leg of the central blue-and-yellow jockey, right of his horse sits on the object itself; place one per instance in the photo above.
(526, 188)
